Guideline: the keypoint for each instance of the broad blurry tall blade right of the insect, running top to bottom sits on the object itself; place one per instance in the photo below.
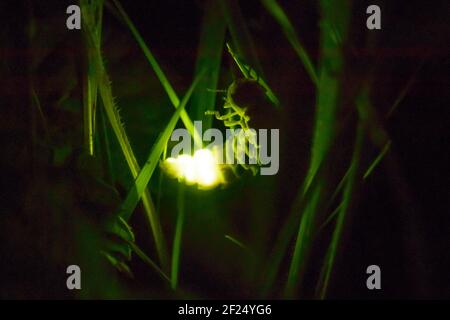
(331, 65)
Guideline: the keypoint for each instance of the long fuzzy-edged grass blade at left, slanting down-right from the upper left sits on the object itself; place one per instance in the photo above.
(105, 90)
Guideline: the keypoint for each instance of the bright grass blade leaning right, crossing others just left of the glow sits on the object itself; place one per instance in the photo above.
(145, 174)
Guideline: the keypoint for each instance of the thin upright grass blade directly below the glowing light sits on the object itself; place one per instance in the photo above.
(176, 250)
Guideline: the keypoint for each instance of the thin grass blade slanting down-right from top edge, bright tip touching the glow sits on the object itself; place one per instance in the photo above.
(159, 73)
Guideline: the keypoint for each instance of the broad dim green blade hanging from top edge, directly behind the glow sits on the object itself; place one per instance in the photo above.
(209, 57)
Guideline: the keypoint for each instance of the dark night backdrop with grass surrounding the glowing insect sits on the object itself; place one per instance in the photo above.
(363, 171)
